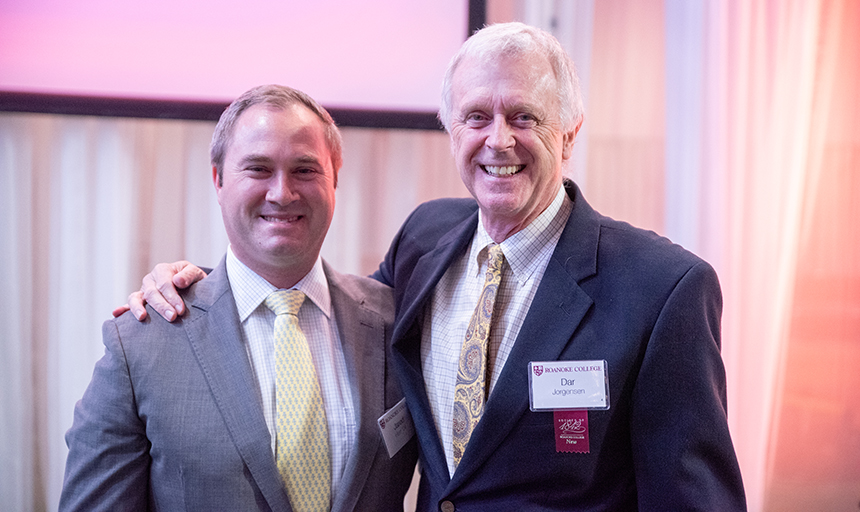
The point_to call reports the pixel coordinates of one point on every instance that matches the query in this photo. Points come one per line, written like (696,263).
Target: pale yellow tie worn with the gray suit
(302,451)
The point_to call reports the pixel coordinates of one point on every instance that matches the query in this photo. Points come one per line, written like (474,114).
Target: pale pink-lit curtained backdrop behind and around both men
(733,127)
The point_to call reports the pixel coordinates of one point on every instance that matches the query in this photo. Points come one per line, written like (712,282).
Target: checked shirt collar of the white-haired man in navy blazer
(521,247)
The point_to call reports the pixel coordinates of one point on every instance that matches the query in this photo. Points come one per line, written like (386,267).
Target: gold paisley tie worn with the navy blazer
(470,391)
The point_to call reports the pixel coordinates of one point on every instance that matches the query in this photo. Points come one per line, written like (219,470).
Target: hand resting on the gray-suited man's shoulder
(159,290)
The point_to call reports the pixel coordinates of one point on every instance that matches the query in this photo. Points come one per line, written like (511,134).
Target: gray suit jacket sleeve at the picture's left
(108,462)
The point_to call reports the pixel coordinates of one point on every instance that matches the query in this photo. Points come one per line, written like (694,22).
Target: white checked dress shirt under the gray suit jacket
(319,325)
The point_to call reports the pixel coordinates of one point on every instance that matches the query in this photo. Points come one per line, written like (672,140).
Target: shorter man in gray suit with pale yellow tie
(266,395)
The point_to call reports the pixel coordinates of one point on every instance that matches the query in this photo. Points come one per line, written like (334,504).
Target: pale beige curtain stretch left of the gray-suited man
(89,204)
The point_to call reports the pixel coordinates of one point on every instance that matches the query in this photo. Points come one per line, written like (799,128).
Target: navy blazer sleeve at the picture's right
(682,450)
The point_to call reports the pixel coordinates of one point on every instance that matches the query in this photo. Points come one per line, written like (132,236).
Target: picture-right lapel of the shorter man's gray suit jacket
(362,335)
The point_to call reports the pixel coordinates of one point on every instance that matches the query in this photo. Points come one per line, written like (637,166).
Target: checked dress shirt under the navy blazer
(527,254)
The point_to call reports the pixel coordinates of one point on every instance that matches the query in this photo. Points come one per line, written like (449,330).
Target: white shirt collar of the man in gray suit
(250,290)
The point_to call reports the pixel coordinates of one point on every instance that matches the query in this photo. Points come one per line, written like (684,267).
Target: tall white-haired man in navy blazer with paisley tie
(552,358)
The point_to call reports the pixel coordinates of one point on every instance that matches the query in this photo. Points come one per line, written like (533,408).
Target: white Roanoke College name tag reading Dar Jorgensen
(557,385)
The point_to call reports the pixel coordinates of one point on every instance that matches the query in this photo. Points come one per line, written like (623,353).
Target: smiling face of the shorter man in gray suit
(277,194)
